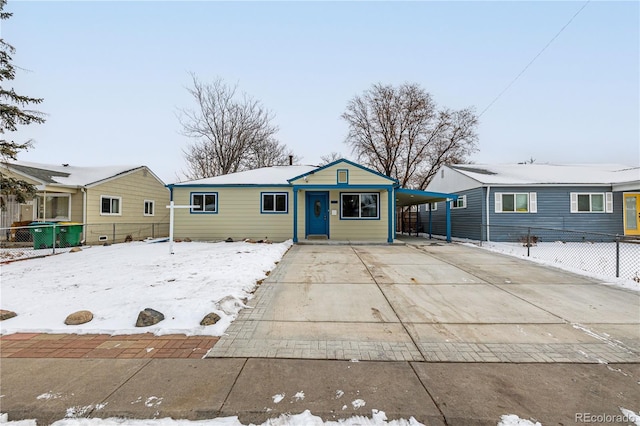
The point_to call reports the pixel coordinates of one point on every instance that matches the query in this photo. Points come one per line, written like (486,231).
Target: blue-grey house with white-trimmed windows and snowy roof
(493,199)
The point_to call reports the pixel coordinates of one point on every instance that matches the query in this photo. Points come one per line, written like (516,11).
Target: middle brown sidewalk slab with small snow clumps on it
(332,390)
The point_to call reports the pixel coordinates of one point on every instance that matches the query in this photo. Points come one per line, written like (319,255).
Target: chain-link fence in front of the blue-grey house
(600,253)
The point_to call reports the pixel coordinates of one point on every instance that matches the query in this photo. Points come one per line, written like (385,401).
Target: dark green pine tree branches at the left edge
(14,112)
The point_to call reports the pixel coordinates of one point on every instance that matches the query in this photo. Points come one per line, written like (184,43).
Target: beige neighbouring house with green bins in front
(98,197)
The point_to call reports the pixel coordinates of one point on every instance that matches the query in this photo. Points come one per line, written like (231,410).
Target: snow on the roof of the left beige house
(68,175)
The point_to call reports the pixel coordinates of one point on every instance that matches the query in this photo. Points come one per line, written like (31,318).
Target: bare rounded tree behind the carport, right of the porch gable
(401,132)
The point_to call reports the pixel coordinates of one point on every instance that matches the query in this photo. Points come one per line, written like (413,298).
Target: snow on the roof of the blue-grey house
(549,173)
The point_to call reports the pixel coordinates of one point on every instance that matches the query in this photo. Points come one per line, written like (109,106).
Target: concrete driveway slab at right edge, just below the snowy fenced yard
(588,303)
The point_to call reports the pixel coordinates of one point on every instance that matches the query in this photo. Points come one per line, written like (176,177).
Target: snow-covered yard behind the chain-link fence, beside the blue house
(597,260)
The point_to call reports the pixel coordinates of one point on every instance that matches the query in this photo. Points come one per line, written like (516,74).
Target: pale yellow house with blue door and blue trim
(340,201)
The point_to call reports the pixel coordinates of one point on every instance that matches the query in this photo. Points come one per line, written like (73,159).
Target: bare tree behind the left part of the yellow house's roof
(232,132)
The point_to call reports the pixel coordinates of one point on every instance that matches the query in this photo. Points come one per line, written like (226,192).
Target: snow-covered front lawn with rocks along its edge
(116,282)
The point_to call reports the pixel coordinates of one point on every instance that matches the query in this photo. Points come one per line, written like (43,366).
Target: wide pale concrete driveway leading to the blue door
(433,302)
